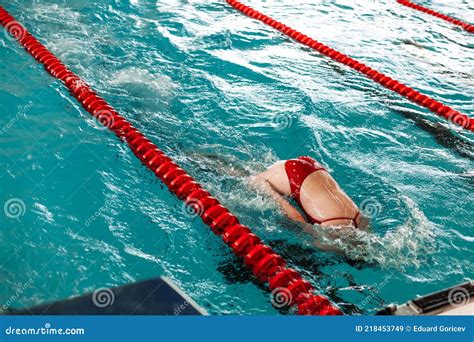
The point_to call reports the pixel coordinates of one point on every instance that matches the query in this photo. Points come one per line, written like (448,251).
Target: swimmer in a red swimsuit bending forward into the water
(317,194)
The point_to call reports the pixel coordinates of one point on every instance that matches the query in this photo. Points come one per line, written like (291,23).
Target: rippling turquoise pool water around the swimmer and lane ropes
(226,96)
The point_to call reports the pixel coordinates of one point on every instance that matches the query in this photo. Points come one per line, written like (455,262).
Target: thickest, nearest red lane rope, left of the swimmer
(266,265)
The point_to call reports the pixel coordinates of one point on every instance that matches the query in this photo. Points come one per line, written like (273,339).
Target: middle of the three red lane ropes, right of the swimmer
(389,83)
